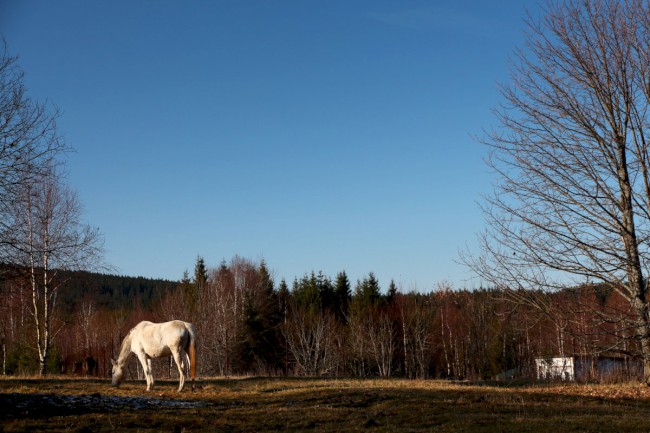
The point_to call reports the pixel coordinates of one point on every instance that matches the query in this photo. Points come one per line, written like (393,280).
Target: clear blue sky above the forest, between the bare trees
(332,135)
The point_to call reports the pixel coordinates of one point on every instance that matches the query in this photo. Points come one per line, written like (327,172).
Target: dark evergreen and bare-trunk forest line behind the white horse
(319,325)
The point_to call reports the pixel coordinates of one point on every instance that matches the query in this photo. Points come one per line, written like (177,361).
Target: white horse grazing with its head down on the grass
(156,340)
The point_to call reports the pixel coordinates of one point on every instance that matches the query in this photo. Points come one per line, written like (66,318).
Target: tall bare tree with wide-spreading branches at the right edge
(572,154)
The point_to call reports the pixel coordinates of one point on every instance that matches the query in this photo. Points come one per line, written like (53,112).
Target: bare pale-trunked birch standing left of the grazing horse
(48,237)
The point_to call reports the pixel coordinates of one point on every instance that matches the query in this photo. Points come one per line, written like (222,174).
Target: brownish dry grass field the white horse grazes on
(319,405)
